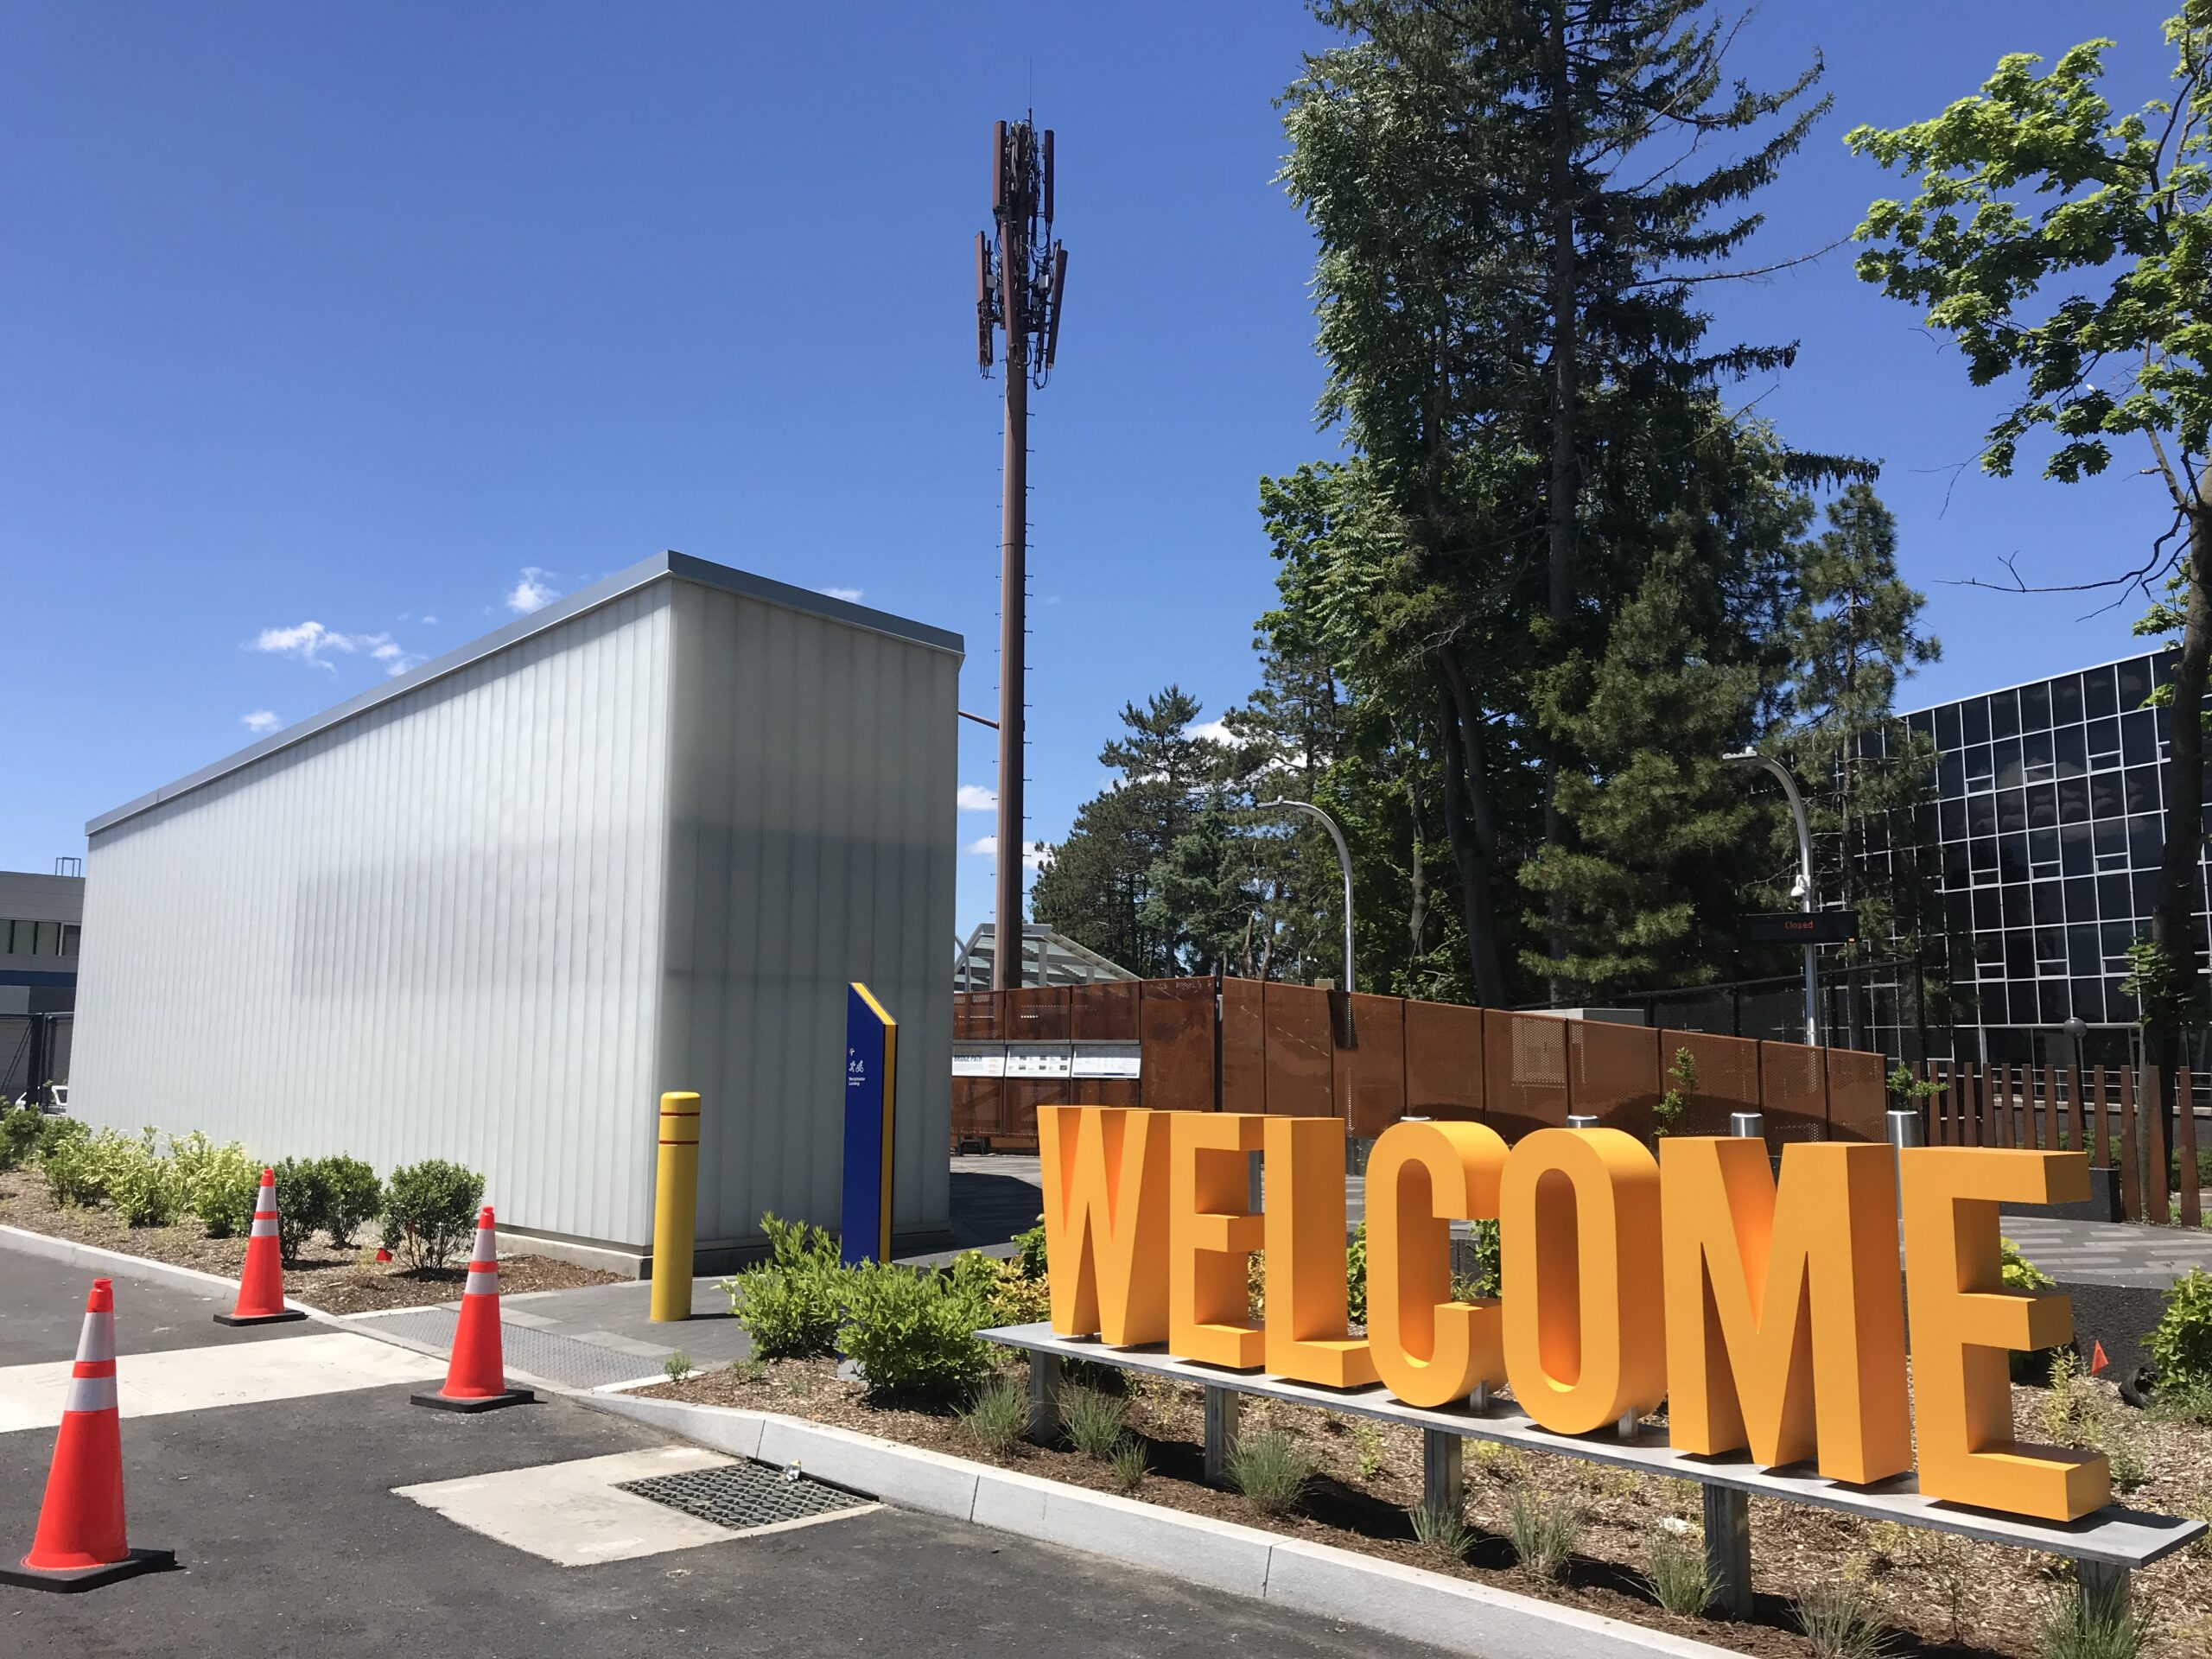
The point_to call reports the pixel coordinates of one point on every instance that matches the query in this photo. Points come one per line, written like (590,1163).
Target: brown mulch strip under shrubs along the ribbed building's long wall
(340,1282)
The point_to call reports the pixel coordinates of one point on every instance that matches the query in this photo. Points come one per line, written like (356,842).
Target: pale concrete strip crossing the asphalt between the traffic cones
(198,1379)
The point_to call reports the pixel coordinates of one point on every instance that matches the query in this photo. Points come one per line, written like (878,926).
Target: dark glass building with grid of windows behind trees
(2049,828)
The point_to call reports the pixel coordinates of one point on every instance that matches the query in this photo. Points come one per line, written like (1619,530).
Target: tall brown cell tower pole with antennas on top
(1021,286)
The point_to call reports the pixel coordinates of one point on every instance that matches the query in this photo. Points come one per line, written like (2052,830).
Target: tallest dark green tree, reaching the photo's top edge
(1510,238)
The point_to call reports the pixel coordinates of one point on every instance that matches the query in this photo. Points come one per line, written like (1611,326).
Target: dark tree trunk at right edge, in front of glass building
(2173,924)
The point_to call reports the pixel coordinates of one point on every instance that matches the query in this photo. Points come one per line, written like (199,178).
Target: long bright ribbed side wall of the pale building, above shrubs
(424,932)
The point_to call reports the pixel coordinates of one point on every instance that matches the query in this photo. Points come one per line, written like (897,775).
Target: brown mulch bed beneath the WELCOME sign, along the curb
(1937,1594)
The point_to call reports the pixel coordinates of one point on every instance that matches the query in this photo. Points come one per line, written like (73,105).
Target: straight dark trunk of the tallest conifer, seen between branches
(1561,497)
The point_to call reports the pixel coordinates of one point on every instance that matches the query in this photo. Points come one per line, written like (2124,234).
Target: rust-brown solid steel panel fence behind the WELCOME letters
(1293,1050)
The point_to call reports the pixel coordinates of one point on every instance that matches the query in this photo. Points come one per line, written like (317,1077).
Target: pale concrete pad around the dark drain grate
(570,1512)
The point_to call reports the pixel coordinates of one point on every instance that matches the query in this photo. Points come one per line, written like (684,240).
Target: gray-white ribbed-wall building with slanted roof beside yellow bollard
(492,910)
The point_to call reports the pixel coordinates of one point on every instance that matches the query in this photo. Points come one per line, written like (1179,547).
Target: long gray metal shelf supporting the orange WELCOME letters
(2114,1538)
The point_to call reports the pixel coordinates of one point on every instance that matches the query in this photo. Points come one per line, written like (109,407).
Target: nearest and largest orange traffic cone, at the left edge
(81,1527)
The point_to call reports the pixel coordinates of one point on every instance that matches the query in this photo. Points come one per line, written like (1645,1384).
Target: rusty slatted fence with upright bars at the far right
(2114,1112)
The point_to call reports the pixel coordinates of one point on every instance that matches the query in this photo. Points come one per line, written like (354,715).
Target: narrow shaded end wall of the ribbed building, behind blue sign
(813,842)
